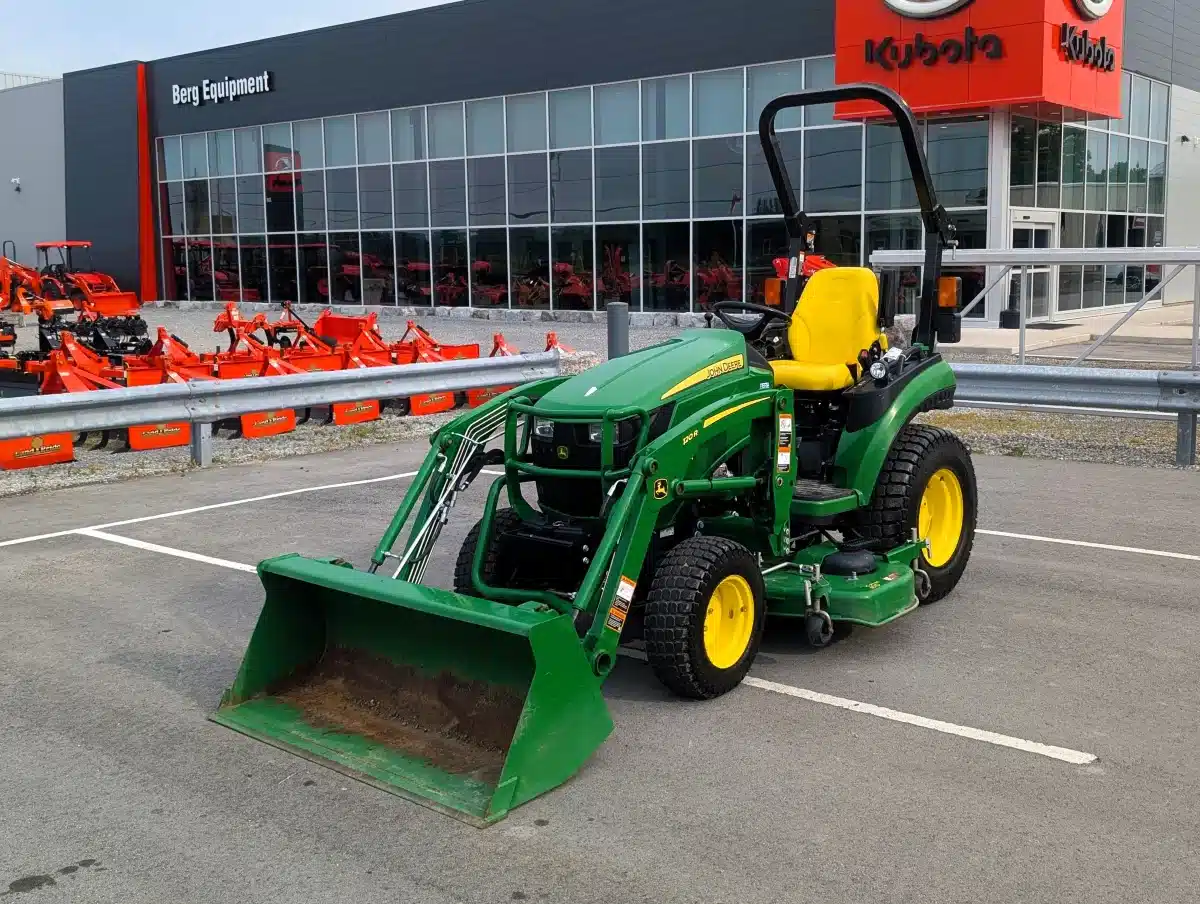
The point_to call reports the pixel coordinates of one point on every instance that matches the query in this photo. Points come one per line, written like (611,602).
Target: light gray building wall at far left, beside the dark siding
(34,154)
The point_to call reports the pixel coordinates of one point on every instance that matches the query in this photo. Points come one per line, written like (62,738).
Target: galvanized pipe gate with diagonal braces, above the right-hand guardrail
(1025,260)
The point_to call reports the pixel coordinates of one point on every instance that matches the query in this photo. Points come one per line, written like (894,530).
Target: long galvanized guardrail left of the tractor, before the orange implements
(206,403)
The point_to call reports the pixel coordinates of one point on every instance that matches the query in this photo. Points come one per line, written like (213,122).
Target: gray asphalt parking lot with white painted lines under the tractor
(1082,661)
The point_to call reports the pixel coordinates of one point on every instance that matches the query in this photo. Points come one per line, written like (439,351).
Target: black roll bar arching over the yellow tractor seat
(940,231)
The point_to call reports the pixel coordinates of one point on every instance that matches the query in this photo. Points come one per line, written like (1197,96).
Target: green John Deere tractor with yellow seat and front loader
(676,496)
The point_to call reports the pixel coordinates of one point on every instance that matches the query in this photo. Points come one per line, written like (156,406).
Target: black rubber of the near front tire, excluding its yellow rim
(675,616)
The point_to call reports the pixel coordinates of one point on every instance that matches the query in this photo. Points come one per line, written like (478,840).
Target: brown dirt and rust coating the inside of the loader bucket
(460,727)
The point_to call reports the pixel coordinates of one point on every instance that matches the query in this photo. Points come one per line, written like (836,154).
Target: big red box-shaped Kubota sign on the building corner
(975,55)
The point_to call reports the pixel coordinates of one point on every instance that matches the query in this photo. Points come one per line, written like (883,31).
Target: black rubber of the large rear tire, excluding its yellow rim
(919,452)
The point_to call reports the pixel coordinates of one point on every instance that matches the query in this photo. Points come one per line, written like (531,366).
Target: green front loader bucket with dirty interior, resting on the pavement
(463,705)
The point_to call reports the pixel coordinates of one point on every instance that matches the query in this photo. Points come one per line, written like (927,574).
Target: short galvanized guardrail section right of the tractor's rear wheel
(1166,393)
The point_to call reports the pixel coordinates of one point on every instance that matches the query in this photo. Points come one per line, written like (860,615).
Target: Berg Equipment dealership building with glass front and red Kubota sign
(559,155)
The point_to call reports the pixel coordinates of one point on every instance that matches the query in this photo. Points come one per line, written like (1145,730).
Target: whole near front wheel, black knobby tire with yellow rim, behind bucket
(700,638)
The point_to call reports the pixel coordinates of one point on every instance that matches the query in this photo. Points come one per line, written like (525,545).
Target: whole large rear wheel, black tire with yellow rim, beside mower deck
(931,470)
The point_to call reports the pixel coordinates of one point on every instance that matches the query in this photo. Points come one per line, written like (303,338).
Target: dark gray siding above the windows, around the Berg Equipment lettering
(483,49)
